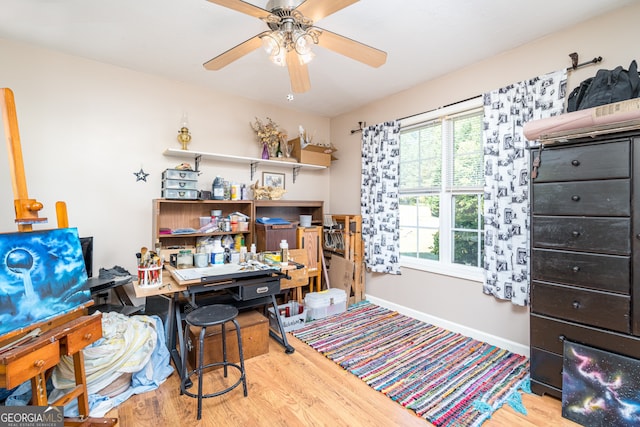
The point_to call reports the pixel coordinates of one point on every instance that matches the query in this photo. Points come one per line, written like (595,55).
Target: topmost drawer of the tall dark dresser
(587,162)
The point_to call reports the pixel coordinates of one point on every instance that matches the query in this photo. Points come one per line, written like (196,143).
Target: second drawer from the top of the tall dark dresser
(590,198)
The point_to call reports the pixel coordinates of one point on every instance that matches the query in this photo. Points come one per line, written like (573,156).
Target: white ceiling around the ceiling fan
(173,38)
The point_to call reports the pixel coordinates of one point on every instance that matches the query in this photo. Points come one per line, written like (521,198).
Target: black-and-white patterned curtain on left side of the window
(379,197)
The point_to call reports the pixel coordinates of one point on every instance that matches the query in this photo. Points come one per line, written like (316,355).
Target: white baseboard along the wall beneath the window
(511,346)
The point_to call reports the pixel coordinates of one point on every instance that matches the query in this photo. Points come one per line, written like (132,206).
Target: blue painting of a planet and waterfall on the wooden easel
(42,275)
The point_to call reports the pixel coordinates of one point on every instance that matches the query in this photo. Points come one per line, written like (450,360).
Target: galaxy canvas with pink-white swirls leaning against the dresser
(600,388)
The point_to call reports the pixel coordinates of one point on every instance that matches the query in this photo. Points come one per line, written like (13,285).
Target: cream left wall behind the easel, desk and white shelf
(86,127)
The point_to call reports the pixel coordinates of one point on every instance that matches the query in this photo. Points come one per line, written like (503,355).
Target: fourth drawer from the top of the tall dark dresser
(602,272)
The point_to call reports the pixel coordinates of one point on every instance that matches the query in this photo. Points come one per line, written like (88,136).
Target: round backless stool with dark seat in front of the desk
(203,317)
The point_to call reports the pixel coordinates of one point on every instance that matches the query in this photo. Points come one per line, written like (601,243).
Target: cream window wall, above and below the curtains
(612,36)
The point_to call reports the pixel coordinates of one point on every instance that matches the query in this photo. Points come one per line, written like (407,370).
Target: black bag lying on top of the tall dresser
(606,87)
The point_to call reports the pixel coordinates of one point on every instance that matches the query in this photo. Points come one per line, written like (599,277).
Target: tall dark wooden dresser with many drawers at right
(585,251)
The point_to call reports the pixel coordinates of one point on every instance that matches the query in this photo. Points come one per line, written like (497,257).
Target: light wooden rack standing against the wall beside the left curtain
(343,237)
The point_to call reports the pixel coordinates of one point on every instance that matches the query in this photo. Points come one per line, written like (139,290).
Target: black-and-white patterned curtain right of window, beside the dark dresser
(506,191)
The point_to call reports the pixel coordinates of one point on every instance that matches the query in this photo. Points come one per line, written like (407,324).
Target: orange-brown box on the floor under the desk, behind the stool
(254,328)
